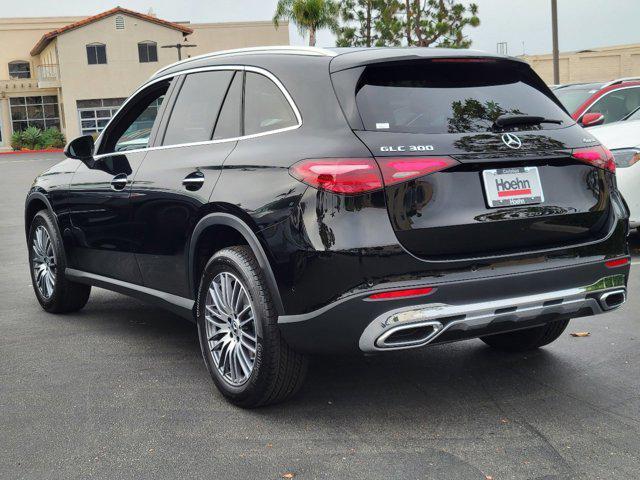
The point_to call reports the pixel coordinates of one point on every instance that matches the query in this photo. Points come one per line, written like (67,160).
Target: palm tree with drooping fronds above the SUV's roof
(308,15)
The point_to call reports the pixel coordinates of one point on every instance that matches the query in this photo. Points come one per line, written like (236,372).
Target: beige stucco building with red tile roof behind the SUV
(74,72)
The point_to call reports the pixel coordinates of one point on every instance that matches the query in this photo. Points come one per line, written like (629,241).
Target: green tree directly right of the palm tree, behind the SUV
(370,23)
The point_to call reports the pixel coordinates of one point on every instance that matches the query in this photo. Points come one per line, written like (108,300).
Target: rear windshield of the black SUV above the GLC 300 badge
(451,96)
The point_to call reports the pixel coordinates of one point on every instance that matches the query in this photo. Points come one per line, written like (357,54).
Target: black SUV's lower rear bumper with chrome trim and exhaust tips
(457,310)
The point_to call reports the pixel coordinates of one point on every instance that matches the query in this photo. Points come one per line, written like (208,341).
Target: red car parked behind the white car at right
(598,103)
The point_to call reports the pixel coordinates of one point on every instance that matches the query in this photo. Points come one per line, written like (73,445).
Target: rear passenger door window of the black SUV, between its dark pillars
(196,109)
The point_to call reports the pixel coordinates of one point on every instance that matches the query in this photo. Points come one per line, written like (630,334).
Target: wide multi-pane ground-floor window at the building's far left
(41,112)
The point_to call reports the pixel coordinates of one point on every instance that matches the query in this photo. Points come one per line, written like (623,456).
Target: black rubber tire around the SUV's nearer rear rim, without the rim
(278,371)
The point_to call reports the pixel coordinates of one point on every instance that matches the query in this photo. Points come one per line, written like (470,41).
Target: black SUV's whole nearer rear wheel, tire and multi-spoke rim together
(247,358)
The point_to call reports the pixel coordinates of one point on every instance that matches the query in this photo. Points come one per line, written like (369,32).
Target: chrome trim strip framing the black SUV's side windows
(241,68)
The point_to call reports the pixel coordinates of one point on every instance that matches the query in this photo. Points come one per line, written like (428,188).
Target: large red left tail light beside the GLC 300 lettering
(351,176)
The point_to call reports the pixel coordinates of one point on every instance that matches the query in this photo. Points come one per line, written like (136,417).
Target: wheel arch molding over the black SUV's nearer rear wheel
(226,221)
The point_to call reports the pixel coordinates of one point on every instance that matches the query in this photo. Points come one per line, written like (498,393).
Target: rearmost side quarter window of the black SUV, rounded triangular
(265,106)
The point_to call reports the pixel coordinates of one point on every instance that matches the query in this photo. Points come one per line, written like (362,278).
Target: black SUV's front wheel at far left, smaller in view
(47,264)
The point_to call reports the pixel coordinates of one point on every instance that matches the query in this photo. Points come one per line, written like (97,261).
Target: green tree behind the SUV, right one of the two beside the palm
(438,23)
